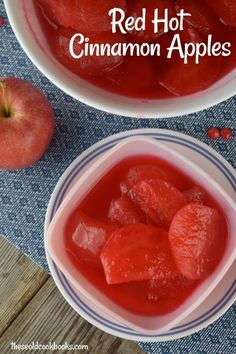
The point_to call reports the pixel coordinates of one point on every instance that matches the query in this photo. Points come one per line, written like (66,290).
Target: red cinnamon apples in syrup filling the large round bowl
(211,27)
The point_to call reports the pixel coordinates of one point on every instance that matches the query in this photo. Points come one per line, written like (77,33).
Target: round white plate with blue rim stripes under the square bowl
(222,297)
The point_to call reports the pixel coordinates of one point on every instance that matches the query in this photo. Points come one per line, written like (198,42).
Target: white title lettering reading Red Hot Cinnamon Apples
(80,45)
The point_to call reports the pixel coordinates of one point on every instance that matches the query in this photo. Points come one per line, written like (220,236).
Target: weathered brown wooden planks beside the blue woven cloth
(33,310)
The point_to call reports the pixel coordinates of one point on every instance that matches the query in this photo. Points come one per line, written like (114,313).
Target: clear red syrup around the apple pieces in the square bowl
(145,297)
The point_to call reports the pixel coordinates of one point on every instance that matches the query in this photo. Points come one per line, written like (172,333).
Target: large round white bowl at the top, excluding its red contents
(27,29)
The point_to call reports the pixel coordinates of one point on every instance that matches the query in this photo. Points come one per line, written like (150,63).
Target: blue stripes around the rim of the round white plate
(60,196)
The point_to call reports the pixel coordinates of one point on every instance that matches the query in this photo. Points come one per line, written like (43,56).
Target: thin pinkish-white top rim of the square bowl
(208,288)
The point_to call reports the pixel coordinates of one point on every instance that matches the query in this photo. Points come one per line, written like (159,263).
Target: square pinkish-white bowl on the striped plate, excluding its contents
(55,237)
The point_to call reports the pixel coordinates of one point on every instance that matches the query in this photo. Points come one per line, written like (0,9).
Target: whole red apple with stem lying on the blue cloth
(26,123)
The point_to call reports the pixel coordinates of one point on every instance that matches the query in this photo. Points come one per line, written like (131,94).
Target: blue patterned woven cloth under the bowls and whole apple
(24,195)
